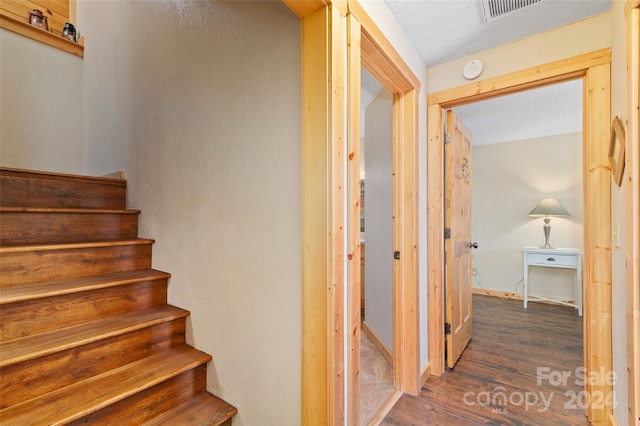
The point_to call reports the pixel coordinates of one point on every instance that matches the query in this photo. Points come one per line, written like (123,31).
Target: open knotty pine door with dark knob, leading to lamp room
(457,237)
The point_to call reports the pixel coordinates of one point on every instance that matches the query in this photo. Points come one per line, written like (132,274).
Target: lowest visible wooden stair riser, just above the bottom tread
(151,402)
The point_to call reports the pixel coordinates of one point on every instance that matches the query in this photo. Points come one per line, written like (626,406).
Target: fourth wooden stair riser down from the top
(26,318)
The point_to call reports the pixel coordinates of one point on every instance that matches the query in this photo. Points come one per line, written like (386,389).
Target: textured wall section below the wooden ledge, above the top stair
(41,120)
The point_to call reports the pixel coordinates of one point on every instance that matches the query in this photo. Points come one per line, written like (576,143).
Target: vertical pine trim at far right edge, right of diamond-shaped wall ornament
(632,182)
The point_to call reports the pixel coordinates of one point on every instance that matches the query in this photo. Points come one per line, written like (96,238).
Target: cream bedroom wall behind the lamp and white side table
(509,179)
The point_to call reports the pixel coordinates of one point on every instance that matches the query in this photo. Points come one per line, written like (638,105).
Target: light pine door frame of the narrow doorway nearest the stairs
(336,38)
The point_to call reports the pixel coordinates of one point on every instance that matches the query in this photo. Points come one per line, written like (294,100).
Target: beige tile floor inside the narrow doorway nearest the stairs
(376,379)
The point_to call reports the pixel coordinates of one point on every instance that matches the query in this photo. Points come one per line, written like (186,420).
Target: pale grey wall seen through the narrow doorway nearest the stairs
(378,214)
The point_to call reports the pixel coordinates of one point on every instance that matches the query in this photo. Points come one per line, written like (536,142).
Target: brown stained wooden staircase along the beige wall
(86,334)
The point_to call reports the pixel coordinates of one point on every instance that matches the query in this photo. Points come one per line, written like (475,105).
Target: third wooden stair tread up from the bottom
(38,345)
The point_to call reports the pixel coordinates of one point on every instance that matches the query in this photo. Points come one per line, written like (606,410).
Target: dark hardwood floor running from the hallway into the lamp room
(522,367)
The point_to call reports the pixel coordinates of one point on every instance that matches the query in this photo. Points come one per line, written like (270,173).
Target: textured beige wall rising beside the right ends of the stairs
(200,103)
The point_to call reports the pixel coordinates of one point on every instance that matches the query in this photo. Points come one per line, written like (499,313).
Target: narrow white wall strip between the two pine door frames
(384,19)
